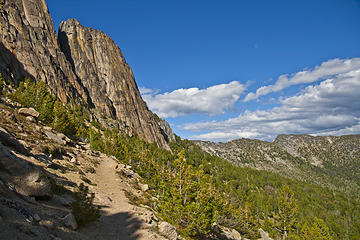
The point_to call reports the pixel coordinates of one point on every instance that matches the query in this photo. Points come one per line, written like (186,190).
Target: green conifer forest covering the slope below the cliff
(192,189)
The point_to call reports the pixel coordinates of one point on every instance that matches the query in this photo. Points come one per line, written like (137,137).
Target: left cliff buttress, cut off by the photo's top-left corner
(28,48)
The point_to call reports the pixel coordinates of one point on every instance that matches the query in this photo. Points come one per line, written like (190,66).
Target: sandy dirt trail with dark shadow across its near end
(118,220)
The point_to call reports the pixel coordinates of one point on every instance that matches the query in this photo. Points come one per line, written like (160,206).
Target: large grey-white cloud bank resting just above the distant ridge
(331,107)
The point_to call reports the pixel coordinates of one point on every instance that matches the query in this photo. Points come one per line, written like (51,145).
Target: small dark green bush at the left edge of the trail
(83,208)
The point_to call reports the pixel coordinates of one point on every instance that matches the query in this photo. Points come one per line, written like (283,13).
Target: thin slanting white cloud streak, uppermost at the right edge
(325,70)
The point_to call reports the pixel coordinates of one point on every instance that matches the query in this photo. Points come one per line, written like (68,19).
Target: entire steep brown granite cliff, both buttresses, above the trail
(81,65)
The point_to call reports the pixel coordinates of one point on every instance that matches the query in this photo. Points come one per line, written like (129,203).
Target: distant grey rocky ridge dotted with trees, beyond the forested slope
(331,161)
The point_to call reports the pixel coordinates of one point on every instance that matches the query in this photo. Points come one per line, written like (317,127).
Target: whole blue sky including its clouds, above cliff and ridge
(220,70)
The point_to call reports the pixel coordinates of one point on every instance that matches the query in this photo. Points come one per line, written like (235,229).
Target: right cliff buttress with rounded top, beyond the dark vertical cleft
(101,68)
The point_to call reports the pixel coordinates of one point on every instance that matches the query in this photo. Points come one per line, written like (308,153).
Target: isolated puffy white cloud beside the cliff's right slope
(213,100)
